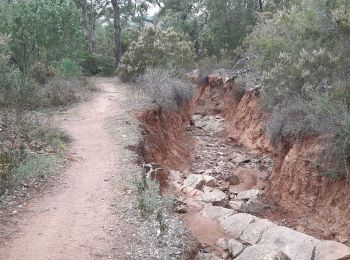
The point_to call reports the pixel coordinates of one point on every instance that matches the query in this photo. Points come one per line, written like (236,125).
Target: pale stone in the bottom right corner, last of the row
(329,250)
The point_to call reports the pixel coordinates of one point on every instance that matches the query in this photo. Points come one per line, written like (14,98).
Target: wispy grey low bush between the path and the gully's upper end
(164,88)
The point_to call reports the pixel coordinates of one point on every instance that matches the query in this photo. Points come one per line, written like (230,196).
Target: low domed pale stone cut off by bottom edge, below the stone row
(262,252)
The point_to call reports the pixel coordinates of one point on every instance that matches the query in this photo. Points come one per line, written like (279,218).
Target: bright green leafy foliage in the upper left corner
(42,30)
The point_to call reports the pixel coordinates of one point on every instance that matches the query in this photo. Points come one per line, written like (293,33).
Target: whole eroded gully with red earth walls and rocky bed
(238,193)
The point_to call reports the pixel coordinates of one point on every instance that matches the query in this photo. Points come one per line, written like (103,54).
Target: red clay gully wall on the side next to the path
(165,141)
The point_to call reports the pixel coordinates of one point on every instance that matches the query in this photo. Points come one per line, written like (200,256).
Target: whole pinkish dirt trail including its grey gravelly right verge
(92,212)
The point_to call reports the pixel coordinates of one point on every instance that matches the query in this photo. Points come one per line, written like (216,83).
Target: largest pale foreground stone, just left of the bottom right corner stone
(296,245)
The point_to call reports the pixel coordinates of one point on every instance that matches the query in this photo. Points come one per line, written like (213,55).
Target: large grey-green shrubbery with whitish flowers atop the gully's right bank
(301,54)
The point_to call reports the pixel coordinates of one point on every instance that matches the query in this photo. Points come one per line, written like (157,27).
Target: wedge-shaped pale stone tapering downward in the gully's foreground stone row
(235,224)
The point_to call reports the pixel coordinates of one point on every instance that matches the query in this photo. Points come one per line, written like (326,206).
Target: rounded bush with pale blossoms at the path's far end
(156,47)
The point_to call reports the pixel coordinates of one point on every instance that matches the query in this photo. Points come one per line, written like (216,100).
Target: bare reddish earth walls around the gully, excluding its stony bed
(302,198)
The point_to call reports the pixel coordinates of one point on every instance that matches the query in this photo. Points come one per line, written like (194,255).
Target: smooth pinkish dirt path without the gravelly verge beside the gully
(75,218)
